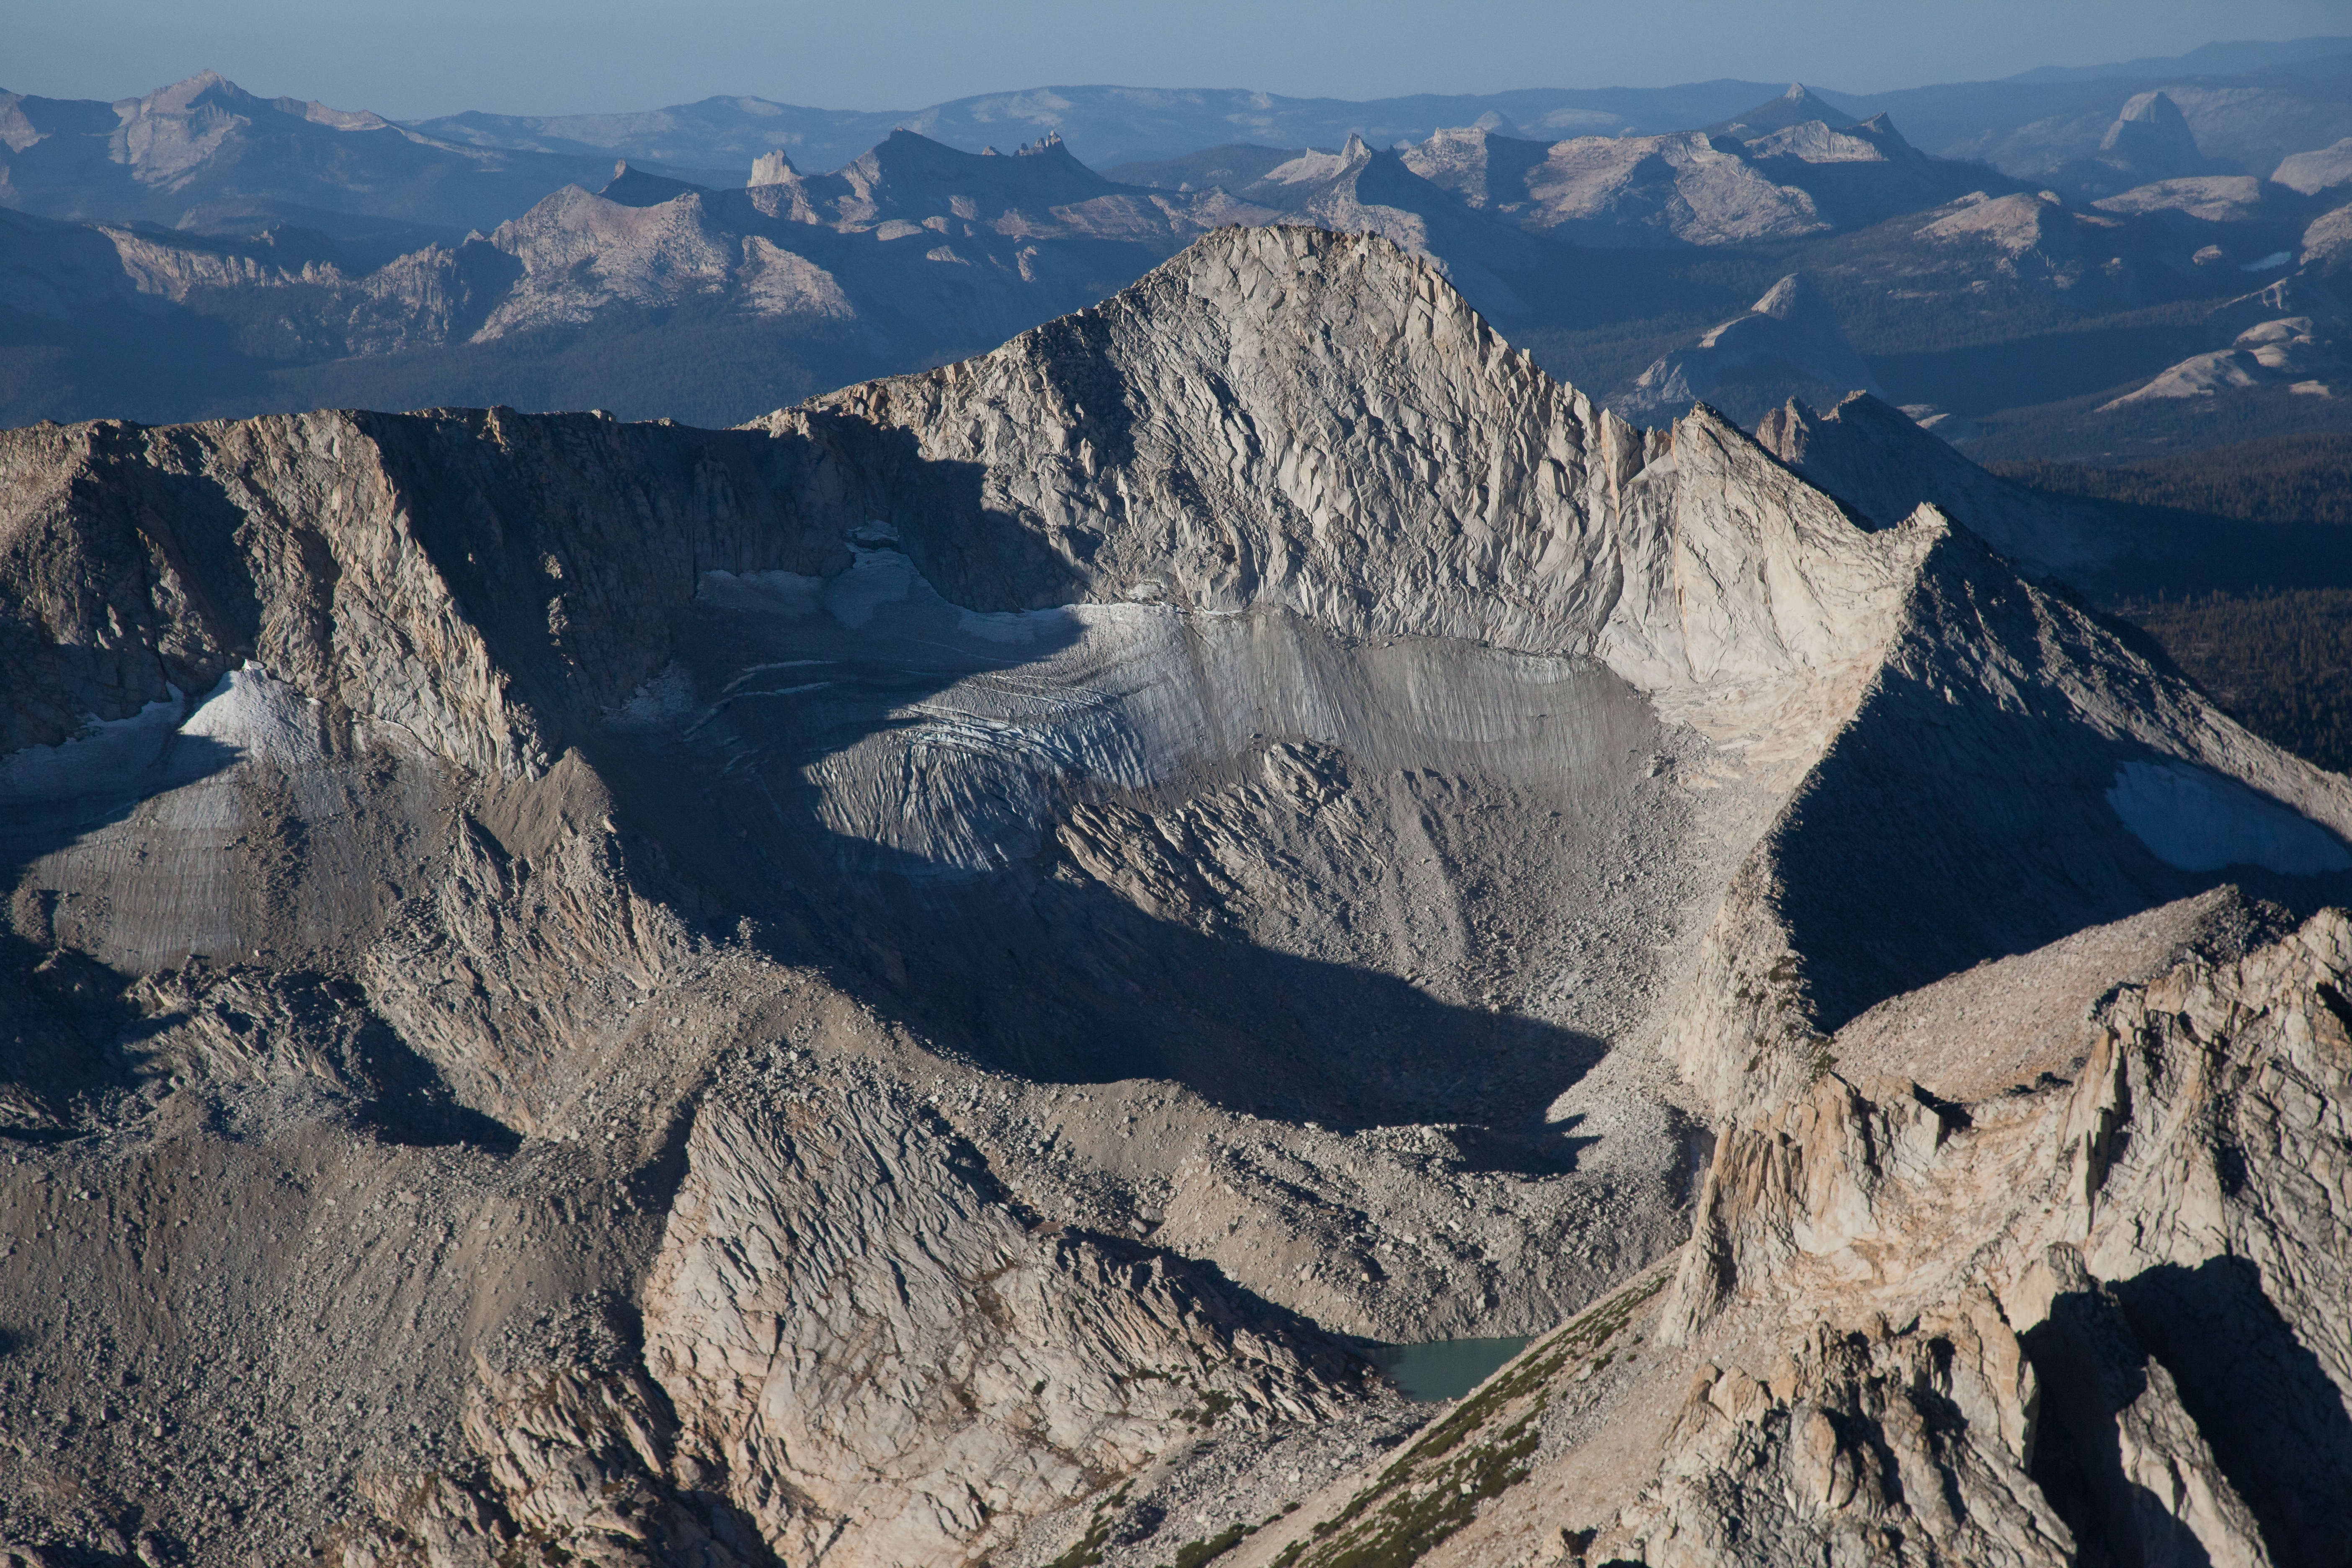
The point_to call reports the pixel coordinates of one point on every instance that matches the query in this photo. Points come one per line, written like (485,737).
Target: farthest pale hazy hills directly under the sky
(206,154)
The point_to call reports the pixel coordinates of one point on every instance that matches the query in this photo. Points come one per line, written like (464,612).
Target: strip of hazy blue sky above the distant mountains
(432,58)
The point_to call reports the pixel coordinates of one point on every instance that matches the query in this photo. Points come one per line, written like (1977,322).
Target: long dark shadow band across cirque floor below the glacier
(1043,972)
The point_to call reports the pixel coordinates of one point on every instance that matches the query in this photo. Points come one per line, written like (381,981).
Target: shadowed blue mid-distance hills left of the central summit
(728,300)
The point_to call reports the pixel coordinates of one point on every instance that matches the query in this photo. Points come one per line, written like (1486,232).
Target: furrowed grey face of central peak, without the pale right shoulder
(1347,438)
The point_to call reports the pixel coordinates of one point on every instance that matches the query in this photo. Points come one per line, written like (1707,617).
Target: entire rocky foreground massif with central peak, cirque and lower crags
(923,979)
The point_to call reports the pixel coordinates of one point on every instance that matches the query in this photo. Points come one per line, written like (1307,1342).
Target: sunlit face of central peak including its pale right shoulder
(1363,450)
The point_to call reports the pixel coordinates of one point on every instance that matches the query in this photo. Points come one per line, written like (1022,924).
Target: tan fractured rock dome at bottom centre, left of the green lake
(895,1365)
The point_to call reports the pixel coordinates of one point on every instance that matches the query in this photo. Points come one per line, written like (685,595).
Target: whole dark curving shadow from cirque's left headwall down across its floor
(1043,974)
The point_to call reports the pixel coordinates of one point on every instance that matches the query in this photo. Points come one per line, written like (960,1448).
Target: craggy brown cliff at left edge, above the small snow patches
(161,561)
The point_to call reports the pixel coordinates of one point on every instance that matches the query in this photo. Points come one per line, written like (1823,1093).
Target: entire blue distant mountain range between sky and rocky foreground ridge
(208,253)
